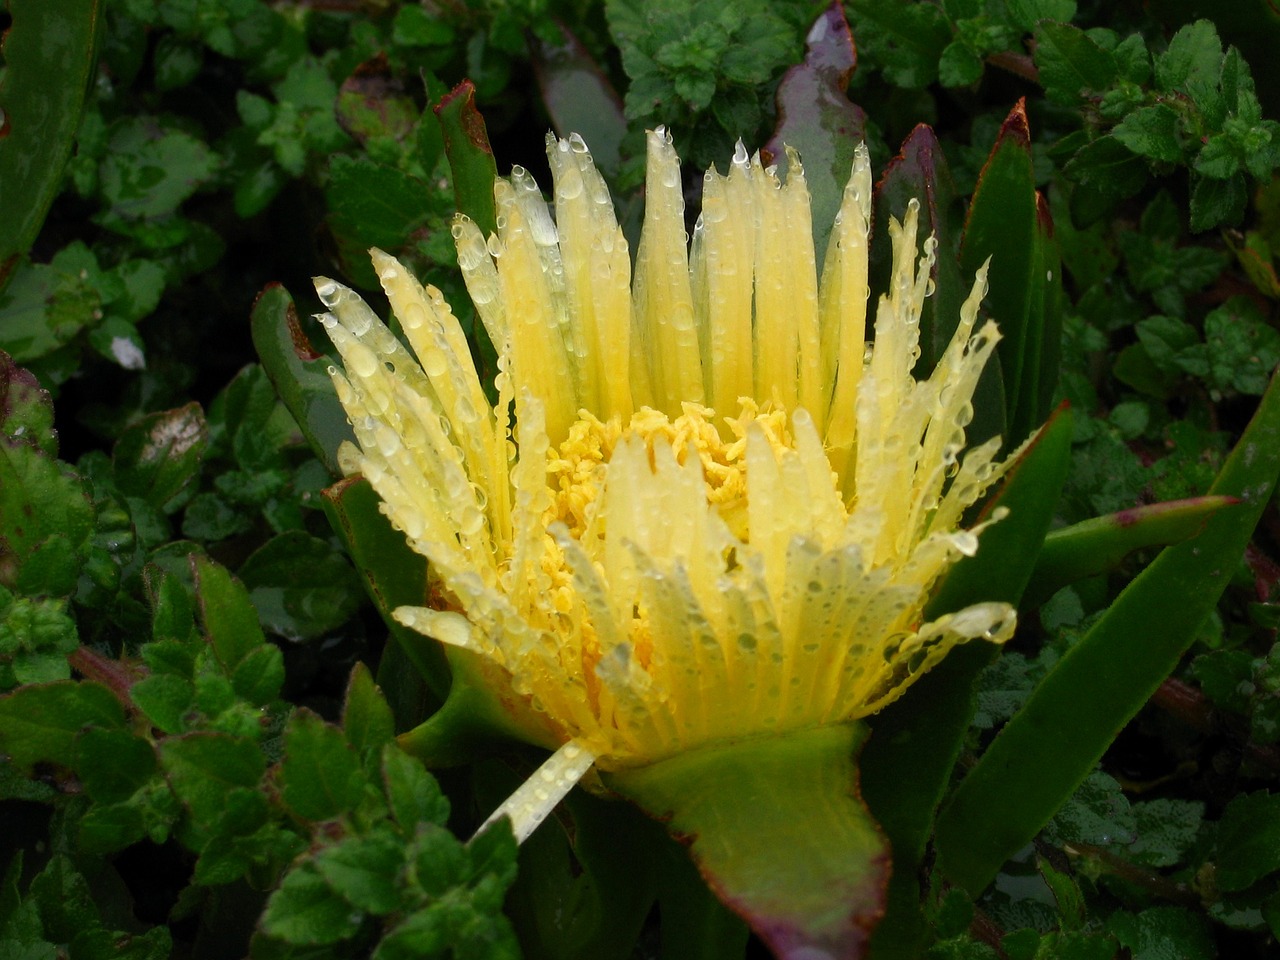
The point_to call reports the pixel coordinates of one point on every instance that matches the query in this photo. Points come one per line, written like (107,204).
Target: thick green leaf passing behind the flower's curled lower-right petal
(908,761)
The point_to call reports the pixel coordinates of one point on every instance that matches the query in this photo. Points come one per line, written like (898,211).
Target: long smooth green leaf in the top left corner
(49,56)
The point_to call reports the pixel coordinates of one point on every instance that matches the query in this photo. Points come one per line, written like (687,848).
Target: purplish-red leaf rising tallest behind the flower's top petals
(817,120)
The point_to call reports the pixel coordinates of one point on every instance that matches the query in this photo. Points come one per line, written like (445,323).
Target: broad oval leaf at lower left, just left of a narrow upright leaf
(321,776)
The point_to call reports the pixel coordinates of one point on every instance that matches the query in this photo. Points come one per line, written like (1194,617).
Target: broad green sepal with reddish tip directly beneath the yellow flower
(778,829)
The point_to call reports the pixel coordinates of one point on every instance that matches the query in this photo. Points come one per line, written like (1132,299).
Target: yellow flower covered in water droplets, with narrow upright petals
(719,513)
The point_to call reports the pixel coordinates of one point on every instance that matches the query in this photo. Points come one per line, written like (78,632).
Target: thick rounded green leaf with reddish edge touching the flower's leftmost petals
(300,374)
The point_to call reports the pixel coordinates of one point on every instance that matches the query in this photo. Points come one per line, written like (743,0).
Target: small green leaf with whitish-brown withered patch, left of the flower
(159,458)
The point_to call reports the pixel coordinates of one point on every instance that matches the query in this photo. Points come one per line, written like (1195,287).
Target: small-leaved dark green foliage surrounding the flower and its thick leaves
(202,765)
